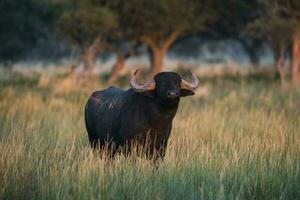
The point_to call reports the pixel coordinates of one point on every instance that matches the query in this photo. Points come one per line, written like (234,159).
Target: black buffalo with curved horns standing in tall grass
(142,115)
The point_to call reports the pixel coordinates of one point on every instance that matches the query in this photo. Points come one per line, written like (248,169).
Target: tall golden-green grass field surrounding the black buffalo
(241,142)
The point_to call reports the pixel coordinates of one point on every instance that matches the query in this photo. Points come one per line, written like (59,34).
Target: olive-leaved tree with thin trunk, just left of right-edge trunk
(275,28)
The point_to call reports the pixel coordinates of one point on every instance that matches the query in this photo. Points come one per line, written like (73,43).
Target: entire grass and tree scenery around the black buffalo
(236,138)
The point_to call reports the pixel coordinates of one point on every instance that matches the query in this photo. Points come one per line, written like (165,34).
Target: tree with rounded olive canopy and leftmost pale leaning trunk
(88,24)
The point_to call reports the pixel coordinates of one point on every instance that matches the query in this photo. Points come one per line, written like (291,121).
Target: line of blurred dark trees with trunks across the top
(121,27)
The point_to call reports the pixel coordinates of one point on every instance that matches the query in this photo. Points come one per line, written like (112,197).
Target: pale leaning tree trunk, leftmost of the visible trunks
(89,57)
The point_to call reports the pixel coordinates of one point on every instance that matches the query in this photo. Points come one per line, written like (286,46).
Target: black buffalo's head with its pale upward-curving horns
(167,87)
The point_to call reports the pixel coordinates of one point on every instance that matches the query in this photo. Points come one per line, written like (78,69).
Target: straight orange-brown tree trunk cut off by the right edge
(296,60)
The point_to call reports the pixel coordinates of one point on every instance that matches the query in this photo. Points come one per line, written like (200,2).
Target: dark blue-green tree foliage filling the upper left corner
(22,24)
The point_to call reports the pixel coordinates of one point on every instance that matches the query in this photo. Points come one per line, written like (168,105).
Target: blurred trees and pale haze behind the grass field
(84,38)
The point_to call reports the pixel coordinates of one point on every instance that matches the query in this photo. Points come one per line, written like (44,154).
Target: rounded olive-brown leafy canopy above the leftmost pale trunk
(85,20)
